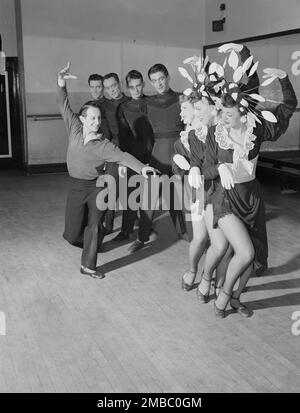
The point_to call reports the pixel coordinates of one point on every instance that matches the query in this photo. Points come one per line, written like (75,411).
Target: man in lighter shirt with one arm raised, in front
(87,151)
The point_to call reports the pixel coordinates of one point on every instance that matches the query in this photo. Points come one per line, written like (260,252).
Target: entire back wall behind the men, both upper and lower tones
(97,36)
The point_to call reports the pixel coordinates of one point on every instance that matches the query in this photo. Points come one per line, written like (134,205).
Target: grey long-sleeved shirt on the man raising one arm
(83,159)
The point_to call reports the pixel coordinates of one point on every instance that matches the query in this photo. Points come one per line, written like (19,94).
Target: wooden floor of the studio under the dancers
(136,330)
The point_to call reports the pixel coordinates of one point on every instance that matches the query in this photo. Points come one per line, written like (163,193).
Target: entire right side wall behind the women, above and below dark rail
(260,17)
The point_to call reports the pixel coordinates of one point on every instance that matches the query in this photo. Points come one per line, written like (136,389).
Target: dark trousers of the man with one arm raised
(83,220)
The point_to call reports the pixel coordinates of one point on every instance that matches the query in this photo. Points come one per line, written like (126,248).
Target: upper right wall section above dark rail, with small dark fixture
(248,18)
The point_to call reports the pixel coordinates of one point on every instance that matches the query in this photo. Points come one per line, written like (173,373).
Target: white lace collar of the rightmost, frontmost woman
(225,142)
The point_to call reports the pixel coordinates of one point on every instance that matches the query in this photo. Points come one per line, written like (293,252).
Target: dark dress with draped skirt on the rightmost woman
(245,199)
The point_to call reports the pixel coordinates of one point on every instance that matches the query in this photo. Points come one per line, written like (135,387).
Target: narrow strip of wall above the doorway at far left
(8,27)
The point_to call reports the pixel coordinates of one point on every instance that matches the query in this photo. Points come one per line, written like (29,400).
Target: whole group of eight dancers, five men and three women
(226,121)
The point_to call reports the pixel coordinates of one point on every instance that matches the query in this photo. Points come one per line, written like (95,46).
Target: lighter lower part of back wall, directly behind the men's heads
(44,56)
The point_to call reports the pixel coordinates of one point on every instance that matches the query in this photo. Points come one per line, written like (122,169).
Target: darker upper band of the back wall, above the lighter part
(177,23)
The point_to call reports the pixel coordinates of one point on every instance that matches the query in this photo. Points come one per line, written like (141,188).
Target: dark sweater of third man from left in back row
(137,134)
